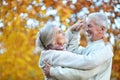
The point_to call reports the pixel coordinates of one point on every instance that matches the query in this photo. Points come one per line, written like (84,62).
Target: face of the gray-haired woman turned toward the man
(59,37)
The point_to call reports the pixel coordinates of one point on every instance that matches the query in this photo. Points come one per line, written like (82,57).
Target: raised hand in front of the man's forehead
(78,25)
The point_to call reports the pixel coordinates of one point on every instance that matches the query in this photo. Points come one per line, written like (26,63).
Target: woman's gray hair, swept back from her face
(45,36)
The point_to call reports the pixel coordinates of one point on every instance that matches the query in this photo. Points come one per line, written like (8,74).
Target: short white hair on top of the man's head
(100,19)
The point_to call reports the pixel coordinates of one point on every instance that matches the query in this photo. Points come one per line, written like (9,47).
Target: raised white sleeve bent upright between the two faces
(73,42)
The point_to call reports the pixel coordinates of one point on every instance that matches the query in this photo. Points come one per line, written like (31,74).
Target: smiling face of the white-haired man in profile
(92,30)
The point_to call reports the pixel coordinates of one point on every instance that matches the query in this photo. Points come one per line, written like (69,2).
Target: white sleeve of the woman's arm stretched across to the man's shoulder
(68,59)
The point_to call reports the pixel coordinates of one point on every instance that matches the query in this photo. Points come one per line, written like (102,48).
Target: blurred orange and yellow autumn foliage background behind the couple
(20,20)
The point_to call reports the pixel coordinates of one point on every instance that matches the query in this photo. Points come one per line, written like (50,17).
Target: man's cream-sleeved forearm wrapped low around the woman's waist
(71,74)
